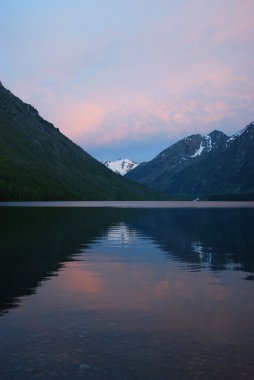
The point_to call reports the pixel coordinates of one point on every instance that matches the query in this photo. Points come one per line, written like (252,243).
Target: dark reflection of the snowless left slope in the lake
(35,242)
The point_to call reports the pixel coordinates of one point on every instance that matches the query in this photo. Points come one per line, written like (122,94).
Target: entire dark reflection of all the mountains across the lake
(34,243)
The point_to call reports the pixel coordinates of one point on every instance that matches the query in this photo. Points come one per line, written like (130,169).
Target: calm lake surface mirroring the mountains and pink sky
(126,293)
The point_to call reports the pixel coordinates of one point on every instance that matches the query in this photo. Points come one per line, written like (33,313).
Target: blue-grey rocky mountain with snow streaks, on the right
(214,166)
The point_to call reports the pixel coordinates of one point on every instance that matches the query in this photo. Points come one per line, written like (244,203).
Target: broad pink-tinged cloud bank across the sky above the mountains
(166,78)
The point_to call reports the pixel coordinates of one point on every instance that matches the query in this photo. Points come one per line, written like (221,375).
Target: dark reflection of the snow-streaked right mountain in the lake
(223,239)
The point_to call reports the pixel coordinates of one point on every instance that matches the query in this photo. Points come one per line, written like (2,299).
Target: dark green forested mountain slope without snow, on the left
(37,162)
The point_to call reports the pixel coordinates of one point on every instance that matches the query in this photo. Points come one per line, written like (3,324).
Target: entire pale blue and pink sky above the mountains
(126,79)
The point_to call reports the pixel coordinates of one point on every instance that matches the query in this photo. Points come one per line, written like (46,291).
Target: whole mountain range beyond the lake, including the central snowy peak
(37,162)
